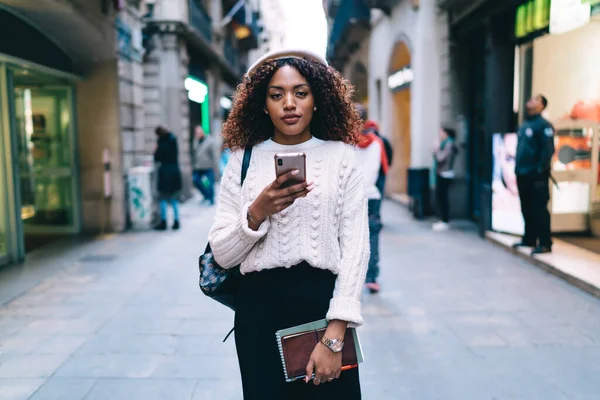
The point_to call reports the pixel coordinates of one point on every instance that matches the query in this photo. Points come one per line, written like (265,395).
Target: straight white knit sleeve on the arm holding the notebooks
(353,237)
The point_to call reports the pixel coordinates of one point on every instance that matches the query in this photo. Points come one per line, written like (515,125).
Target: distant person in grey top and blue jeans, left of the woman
(206,163)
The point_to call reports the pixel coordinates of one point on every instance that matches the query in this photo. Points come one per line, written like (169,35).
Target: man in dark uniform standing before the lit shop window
(535,148)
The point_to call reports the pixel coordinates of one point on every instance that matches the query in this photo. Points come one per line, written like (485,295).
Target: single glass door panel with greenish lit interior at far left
(44,144)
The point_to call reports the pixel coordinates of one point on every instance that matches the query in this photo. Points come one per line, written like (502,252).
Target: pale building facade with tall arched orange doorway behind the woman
(396,53)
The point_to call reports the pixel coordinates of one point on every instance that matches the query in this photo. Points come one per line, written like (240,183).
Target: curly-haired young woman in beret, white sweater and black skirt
(303,249)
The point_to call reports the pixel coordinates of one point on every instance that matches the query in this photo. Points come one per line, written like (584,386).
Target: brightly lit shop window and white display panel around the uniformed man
(559,62)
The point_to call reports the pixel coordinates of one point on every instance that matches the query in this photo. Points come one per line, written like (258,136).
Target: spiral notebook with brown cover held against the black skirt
(297,343)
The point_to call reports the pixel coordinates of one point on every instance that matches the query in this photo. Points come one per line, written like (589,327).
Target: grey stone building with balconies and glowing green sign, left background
(196,54)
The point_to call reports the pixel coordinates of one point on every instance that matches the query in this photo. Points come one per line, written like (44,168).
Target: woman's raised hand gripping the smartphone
(276,198)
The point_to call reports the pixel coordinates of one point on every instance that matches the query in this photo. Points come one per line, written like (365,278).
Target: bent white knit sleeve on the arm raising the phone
(230,237)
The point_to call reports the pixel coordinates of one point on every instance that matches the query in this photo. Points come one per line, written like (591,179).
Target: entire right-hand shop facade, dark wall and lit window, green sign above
(503,54)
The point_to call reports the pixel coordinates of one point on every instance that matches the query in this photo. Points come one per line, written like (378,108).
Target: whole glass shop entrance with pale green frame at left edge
(39,190)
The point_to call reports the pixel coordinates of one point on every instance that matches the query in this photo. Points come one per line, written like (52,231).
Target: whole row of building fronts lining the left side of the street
(78,106)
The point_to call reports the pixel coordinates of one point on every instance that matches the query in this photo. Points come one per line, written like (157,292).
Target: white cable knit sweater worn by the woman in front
(328,229)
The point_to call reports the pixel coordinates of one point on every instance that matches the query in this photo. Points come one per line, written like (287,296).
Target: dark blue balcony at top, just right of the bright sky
(350,26)
